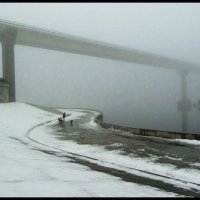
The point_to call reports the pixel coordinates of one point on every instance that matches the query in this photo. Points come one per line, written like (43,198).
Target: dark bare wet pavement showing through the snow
(166,151)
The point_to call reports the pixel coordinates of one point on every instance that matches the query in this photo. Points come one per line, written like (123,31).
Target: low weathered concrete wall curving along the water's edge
(148,132)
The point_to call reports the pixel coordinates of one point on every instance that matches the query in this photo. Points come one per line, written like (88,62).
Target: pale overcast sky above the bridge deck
(165,28)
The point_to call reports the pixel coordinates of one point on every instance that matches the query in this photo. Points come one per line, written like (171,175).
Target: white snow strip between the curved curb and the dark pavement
(182,178)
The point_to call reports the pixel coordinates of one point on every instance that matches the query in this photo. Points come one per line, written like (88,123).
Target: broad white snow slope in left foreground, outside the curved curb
(27,171)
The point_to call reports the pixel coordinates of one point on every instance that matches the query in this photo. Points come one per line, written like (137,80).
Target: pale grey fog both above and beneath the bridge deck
(127,94)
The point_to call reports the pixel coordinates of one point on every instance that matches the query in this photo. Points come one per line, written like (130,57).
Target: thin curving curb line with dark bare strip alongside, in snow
(129,177)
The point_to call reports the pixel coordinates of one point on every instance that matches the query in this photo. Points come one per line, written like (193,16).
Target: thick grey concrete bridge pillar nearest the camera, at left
(8,37)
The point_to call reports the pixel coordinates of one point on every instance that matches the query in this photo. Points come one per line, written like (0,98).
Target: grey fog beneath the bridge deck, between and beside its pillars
(127,93)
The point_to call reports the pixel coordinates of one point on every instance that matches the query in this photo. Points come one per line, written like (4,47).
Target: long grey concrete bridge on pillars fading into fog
(12,33)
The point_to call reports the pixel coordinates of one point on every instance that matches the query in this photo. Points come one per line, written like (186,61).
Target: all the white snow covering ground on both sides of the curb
(27,169)
